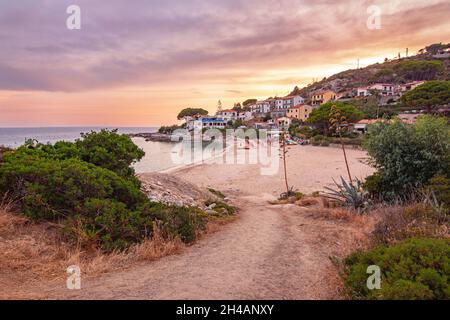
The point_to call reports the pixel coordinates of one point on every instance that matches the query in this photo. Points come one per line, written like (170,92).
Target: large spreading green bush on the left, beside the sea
(98,203)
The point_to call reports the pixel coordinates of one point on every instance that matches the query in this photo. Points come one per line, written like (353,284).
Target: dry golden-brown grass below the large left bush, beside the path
(33,253)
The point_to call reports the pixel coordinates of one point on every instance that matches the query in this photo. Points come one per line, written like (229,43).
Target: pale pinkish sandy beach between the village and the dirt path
(309,169)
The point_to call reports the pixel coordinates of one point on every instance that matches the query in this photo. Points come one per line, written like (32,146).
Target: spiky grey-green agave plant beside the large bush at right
(351,195)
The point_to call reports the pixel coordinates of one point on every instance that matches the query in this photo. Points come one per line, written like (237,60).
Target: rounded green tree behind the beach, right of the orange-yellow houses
(320,117)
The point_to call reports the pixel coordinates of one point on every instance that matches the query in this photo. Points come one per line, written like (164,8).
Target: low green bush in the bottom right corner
(413,269)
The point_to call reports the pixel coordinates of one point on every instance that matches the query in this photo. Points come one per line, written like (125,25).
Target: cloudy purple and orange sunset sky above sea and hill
(139,62)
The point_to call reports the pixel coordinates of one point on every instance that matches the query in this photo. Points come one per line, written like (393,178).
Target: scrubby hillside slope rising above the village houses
(424,66)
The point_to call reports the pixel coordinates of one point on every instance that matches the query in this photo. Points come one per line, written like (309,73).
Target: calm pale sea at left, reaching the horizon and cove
(157,154)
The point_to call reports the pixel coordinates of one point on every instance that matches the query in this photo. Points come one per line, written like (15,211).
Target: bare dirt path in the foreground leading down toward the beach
(263,255)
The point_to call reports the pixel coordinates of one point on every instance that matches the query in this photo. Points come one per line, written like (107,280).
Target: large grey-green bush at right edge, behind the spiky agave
(407,156)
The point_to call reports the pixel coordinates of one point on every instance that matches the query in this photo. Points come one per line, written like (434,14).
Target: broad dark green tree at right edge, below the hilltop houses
(429,95)
